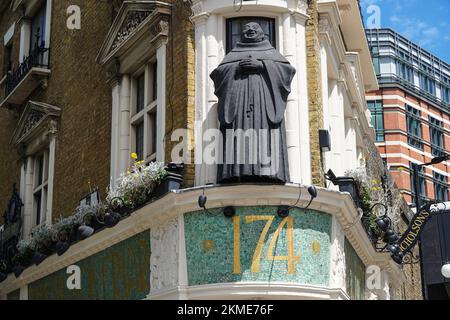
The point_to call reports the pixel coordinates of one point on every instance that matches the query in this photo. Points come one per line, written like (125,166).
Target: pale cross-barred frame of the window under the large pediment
(144,116)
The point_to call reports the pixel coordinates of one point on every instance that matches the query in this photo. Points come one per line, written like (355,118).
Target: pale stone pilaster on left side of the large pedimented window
(124,140)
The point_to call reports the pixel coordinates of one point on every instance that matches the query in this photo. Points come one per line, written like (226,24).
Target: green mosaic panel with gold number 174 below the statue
(223,250)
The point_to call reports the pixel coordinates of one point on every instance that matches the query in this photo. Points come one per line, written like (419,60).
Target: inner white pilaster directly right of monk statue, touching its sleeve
(292,107)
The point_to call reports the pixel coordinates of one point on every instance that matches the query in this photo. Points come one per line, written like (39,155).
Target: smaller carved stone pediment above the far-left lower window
(38,121)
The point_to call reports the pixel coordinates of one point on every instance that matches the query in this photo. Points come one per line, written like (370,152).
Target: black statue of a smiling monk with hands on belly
(253,83)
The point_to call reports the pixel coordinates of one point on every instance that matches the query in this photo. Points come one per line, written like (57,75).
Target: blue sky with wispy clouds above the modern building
(425,22)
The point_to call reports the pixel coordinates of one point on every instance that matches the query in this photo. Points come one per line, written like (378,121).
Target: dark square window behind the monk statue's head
(235,26)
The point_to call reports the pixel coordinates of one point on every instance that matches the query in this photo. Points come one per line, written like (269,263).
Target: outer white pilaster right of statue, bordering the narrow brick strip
(303,107)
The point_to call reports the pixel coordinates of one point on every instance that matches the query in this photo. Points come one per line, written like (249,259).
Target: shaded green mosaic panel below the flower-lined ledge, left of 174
(121,272)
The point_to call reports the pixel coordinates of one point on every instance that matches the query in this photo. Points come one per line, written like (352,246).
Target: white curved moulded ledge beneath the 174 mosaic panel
(251,291)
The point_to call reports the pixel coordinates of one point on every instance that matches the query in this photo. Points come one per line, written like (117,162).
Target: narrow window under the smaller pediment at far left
(40,187)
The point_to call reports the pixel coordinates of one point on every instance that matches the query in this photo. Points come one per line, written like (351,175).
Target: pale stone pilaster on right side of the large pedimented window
(161,100)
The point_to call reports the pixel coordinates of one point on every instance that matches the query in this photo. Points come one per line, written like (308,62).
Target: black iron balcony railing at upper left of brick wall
(38,58)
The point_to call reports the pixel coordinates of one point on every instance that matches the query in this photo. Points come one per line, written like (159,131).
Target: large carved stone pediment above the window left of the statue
(137,24)
